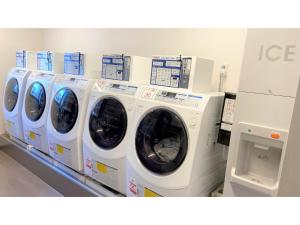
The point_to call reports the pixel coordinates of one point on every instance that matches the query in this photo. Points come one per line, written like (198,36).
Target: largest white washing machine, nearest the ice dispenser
(171,149)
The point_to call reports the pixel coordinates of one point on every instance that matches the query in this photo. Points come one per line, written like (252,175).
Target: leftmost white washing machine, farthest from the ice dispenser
(13,100)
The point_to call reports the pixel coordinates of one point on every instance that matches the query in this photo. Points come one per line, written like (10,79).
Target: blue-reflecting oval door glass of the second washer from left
(35,101)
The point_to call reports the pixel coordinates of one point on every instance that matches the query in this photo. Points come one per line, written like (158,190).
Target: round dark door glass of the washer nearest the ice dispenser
(161,141)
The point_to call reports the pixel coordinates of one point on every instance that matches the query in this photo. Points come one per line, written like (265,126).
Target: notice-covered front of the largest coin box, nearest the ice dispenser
(171,71)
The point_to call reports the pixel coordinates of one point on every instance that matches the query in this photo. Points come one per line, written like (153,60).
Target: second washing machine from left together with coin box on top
(37,99)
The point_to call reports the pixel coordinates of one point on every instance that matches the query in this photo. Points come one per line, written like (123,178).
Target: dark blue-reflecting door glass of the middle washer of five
(64,110)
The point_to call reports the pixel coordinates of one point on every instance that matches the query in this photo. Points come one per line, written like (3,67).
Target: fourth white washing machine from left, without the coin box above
(106,133)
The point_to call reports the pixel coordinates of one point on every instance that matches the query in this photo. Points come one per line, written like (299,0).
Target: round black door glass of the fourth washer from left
(108,123)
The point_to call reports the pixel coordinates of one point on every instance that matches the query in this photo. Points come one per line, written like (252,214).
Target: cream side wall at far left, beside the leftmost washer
(10,41)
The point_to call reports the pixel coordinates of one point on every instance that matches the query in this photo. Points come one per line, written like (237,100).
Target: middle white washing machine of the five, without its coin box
(65,122)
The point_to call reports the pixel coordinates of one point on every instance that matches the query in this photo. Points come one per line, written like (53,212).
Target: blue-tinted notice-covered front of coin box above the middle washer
(74,63)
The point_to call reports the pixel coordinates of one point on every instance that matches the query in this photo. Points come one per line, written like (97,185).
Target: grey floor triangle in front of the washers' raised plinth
(16,180)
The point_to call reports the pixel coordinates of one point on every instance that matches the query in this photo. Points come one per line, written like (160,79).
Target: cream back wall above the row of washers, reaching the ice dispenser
(221,45)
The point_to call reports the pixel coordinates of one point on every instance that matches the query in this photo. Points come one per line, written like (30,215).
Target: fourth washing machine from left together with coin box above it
(109,118)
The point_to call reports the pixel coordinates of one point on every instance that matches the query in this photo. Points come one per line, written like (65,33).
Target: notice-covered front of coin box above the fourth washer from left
(116,67)
